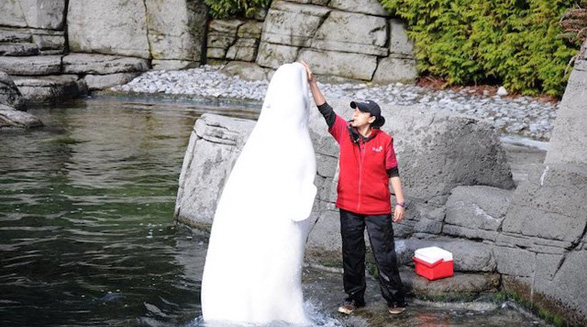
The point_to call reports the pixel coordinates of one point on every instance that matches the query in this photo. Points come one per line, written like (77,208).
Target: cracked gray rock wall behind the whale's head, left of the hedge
(341,39)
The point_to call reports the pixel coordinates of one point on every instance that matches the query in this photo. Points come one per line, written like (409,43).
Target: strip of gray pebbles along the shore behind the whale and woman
(523,116)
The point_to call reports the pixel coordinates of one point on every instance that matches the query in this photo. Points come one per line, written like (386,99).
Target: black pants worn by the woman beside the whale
(380,231)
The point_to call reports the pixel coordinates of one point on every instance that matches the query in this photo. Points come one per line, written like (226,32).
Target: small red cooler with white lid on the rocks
(433,263)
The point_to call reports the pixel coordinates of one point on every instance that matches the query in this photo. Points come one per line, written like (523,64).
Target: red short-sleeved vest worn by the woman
(363,182)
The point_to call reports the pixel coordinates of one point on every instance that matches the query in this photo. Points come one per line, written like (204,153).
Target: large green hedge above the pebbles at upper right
(516,43)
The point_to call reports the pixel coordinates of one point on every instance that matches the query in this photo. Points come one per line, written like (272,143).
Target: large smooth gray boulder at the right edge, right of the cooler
(542,244)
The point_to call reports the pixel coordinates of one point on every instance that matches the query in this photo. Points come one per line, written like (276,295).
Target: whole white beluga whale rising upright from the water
(253,268)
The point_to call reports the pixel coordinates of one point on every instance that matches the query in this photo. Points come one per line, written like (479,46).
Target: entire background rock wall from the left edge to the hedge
(341,39)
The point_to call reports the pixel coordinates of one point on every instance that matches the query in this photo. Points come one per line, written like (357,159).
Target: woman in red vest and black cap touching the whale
(367,164)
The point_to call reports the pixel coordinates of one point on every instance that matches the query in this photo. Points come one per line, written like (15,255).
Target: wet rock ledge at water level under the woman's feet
(324,291)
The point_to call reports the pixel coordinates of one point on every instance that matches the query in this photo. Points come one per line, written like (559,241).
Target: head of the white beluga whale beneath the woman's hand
(286,94)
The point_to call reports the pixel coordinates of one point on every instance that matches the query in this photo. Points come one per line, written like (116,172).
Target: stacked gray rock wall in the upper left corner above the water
(108,42)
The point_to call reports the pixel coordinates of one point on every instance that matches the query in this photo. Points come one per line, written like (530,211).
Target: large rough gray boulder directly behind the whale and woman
(432,148)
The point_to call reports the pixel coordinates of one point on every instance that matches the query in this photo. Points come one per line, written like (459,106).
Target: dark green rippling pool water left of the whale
(87,234)
